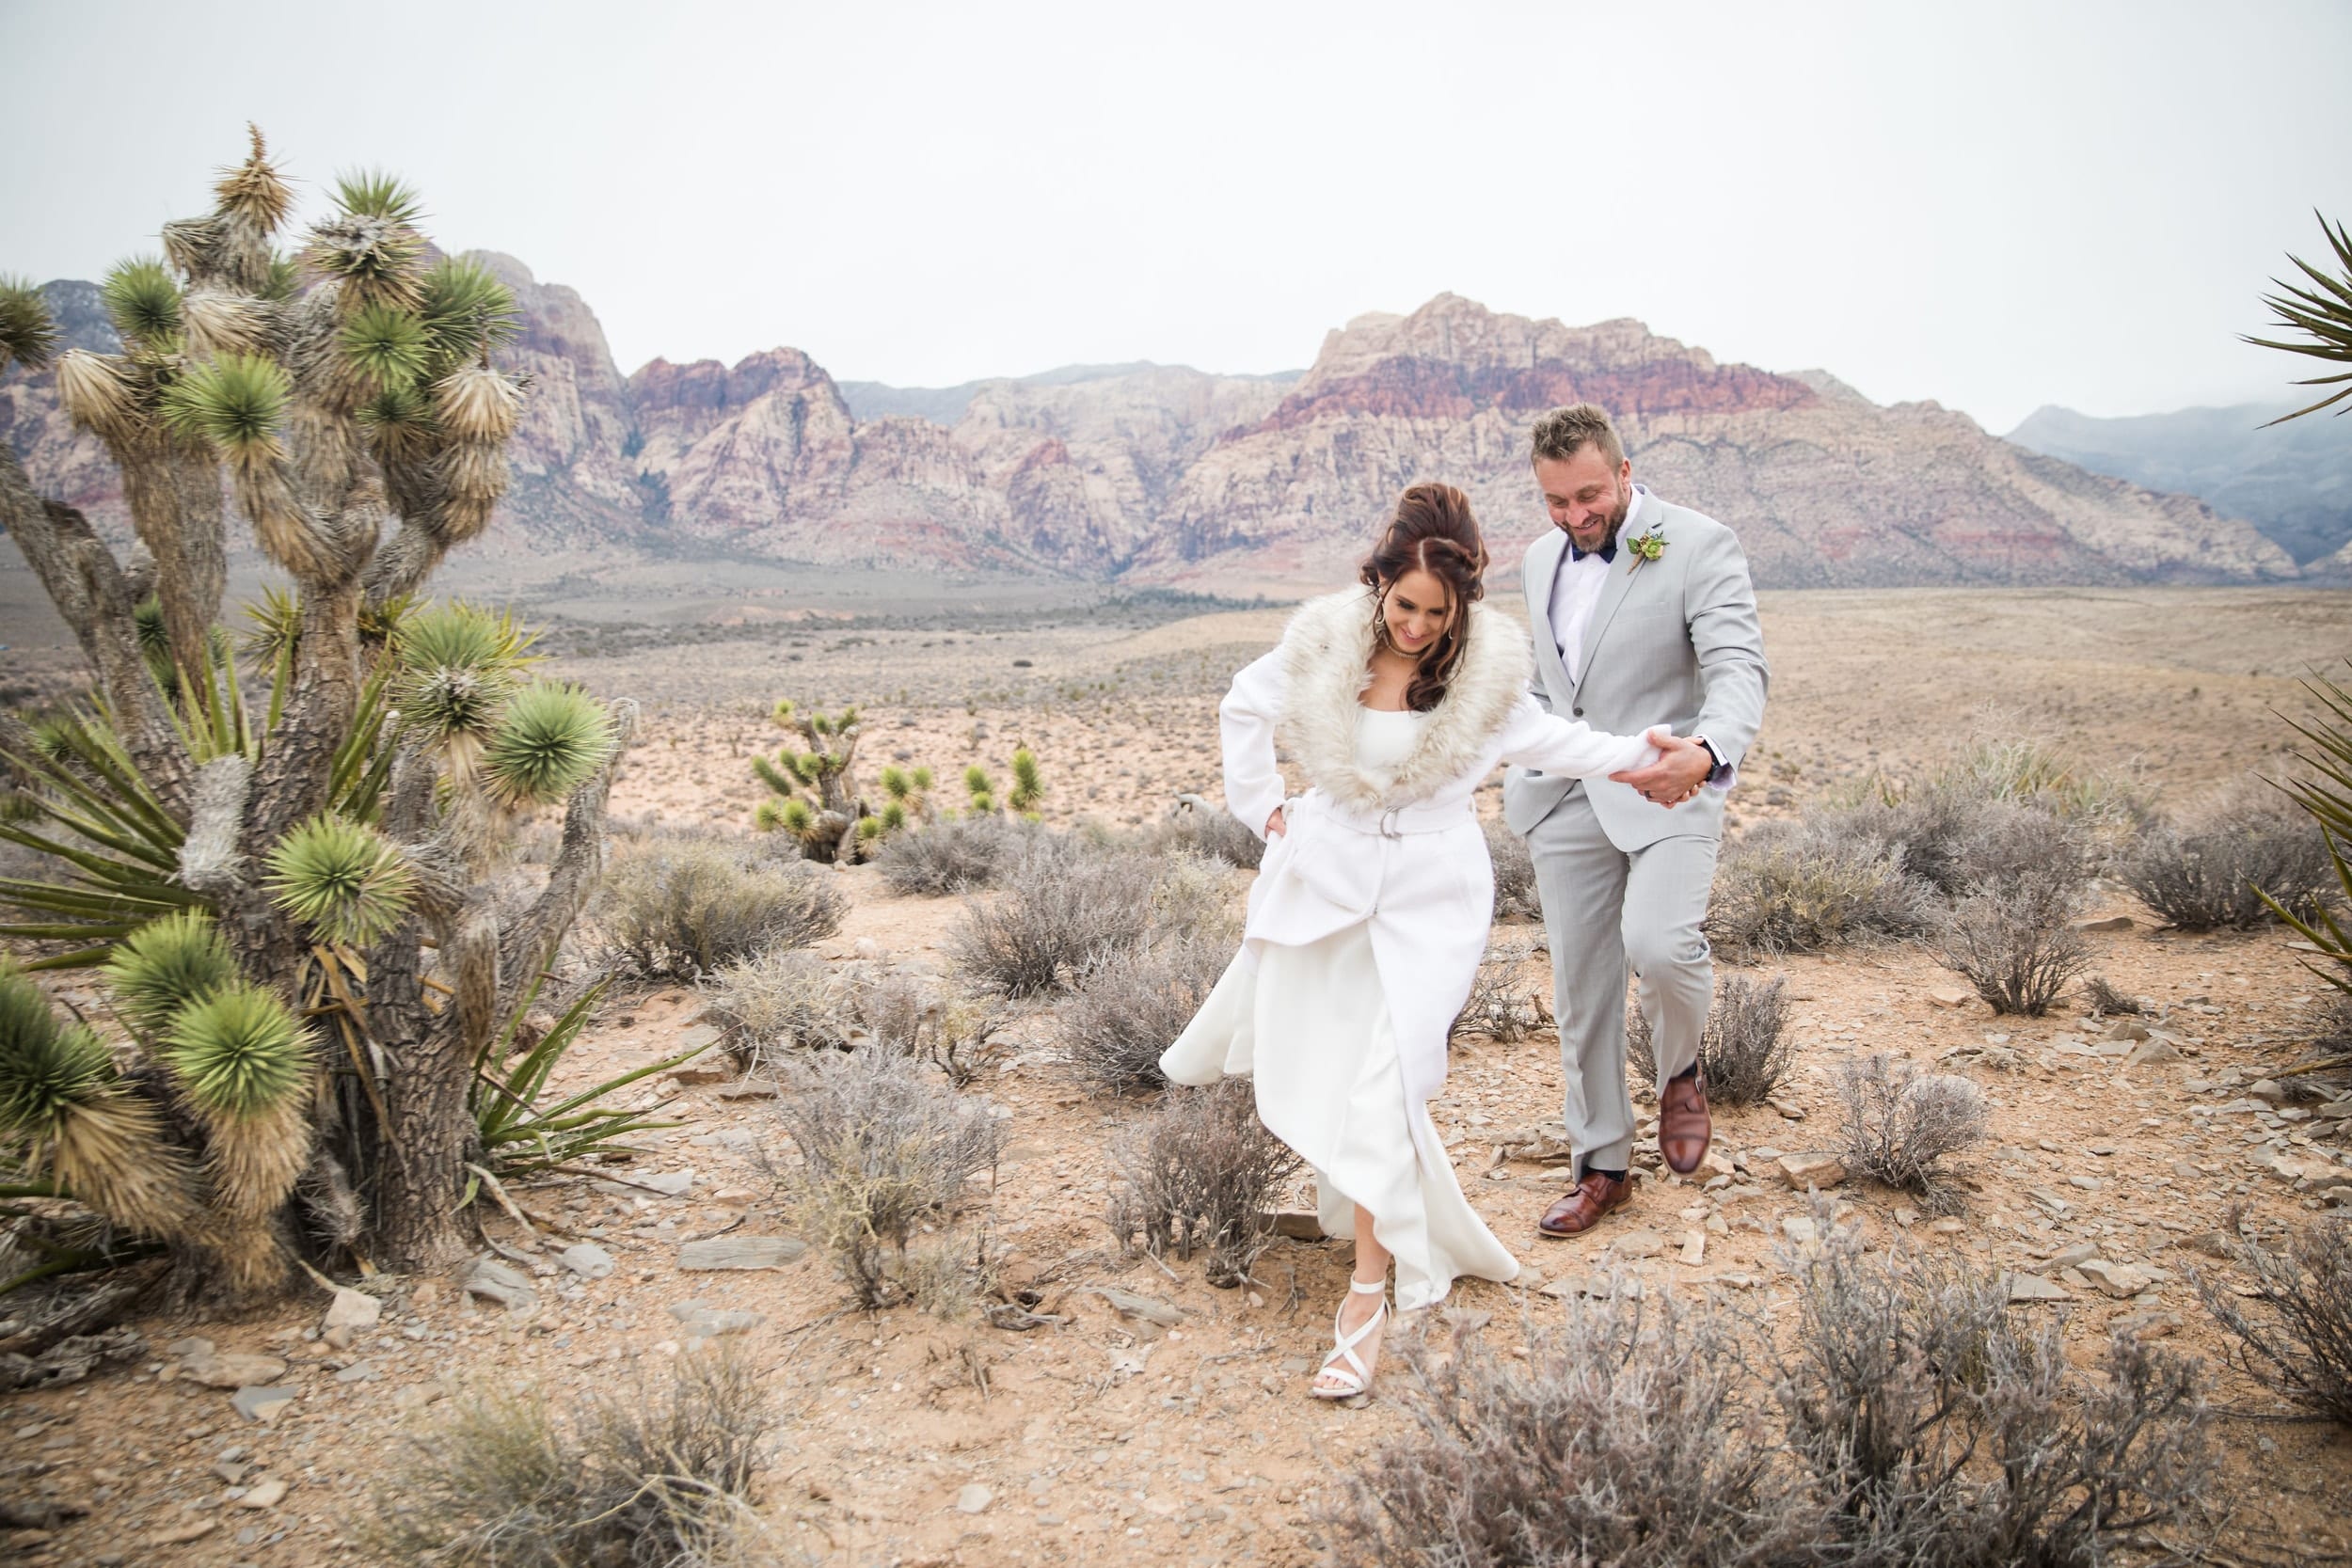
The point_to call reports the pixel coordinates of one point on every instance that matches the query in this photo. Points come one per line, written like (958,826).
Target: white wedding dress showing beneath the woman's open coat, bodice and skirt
(1309,1024)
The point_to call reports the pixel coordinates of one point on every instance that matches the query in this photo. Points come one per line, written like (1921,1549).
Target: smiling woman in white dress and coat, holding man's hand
(1372,909)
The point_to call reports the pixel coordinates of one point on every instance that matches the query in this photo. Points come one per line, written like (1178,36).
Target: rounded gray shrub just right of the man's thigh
(1812,885)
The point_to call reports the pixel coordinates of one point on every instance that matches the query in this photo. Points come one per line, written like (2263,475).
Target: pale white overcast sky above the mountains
(1993,206)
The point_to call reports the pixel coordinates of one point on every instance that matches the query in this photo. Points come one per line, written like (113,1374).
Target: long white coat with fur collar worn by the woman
(1401,852)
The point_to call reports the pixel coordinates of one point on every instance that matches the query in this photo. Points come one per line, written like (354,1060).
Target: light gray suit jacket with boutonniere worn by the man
(1676,643)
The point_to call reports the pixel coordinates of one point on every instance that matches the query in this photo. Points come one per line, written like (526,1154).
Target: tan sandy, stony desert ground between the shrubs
(1114,1440)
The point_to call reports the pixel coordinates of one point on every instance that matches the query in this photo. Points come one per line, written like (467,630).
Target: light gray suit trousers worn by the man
(1608,911)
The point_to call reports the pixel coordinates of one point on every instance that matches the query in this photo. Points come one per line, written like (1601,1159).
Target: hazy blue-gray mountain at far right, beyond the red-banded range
(2294,481)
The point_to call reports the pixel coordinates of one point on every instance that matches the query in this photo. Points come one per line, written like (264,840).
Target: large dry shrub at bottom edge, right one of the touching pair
(1942,1430)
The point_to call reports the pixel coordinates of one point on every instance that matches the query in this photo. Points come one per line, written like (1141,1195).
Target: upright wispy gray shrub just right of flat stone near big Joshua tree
(883,1153)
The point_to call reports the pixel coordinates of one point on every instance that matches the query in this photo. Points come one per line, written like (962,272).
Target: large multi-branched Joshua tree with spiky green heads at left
(293,902)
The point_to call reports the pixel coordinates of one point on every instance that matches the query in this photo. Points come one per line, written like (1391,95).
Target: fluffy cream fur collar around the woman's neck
(1328,662)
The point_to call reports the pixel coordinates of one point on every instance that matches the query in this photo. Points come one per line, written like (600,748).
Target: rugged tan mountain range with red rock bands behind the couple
(1168,476)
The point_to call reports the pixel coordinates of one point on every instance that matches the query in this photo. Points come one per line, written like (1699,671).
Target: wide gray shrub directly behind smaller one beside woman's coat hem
(1071,906)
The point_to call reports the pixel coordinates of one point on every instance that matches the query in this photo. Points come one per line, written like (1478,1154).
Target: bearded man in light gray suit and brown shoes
(1643,615)
